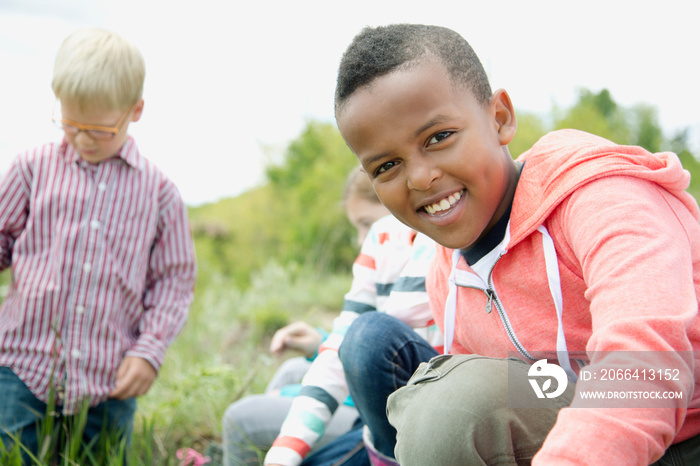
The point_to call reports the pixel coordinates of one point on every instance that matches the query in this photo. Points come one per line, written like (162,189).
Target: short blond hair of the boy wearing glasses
(95,67)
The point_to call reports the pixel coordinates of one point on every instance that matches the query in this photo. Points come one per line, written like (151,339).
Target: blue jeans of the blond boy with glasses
(21,411)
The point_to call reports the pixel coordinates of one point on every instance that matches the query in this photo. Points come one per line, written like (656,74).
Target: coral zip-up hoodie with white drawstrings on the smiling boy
(622,236)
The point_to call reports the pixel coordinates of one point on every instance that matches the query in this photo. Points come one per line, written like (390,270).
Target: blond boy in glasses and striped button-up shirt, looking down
(102,259)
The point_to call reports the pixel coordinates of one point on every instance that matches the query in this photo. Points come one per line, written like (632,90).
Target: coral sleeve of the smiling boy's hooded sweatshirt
(635,243)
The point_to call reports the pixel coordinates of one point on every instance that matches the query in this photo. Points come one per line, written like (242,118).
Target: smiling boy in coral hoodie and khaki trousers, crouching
(579,249)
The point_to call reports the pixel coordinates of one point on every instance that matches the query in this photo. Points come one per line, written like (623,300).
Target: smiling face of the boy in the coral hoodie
(436,156)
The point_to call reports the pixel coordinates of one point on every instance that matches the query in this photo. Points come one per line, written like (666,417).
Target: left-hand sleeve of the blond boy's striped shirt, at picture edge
(15,193)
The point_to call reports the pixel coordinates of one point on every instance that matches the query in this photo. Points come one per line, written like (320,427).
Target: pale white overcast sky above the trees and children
(230,83)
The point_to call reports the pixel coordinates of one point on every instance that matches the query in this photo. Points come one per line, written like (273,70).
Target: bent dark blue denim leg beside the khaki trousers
(379,355)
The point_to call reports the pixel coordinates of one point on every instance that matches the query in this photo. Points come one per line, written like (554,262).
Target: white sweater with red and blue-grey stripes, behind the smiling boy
(388,276)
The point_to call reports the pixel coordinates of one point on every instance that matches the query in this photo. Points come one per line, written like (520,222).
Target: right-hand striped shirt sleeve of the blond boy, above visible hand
(169,283)
